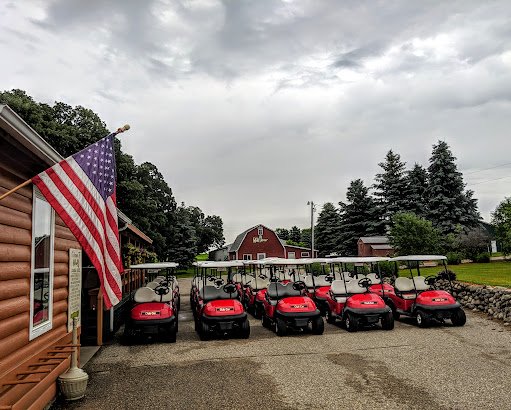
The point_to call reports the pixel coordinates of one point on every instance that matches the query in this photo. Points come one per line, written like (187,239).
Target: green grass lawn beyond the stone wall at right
(493,274)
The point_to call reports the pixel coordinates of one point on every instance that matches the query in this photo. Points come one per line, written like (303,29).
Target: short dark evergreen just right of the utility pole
(327,230)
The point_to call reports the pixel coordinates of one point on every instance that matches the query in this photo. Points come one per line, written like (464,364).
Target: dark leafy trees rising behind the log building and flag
(179,232)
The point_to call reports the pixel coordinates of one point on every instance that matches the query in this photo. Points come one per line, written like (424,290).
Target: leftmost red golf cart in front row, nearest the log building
(153,309)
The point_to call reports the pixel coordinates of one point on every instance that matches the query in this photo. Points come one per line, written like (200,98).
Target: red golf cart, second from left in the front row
(217,307)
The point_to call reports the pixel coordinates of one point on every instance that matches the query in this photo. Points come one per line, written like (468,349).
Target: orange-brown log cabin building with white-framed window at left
(34,273)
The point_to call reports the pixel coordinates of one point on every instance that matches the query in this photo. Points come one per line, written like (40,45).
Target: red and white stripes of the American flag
(93,221)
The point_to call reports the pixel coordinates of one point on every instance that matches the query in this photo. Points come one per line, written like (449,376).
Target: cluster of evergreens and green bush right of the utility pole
(420,209)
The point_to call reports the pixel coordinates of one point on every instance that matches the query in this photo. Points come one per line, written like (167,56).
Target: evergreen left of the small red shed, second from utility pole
(359,217)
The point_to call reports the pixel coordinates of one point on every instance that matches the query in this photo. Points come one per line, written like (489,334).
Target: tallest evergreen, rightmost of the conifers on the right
(449,206)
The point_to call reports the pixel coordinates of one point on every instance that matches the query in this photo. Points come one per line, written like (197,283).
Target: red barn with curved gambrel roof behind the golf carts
(261,242)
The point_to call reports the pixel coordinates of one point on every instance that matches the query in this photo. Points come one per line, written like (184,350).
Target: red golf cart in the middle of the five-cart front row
(285,305)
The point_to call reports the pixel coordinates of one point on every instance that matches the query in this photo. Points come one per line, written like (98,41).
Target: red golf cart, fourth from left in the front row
(351,301)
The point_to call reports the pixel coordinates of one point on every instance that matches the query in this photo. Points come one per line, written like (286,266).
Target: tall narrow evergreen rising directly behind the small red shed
(390,186)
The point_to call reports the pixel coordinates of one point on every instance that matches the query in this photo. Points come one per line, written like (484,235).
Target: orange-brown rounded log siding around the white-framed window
(16,350)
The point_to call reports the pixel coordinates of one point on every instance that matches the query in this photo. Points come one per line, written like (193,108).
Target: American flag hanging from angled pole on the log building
(81,189)
